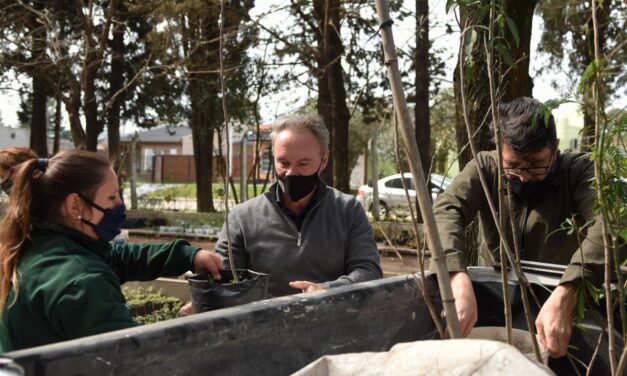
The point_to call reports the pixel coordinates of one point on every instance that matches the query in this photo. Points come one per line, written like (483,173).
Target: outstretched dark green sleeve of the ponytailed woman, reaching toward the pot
(145,262)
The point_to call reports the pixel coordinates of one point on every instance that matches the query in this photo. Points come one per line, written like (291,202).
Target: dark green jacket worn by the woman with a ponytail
(69,285)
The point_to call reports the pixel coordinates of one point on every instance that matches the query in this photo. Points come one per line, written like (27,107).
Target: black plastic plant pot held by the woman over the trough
(209,294)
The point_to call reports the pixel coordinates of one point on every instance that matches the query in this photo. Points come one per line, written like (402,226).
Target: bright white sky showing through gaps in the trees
(283,103)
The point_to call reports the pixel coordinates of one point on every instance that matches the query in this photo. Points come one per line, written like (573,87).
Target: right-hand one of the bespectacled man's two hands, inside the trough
(555,320)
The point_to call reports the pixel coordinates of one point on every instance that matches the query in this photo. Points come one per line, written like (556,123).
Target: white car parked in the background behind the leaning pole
(392,197)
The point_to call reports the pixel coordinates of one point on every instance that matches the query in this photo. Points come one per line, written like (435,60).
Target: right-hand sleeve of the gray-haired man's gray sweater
(363,262)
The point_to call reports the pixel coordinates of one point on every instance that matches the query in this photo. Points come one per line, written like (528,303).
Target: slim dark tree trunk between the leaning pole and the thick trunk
(422,83)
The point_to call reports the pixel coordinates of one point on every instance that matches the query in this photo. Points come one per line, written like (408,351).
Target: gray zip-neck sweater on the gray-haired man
(335,245)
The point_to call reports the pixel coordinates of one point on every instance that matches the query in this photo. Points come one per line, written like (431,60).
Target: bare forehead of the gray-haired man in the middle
(290,144)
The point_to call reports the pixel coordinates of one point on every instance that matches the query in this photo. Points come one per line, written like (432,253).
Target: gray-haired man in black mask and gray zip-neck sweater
(305,234)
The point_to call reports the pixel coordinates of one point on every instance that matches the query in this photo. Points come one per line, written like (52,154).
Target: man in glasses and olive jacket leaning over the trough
(547,188)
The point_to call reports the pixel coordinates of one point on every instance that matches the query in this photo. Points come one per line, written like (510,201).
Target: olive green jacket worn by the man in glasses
(538,219)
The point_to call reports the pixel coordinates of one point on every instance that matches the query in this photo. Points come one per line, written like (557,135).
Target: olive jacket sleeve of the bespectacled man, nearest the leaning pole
(454,209)
